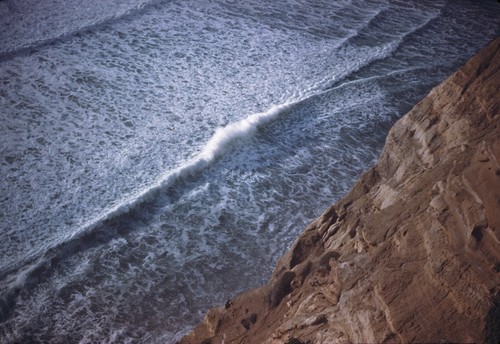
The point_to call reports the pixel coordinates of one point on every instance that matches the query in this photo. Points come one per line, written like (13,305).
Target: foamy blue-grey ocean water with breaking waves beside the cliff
(158,157)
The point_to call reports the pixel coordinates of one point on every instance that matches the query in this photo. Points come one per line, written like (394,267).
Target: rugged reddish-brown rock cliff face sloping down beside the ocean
(412,253)
